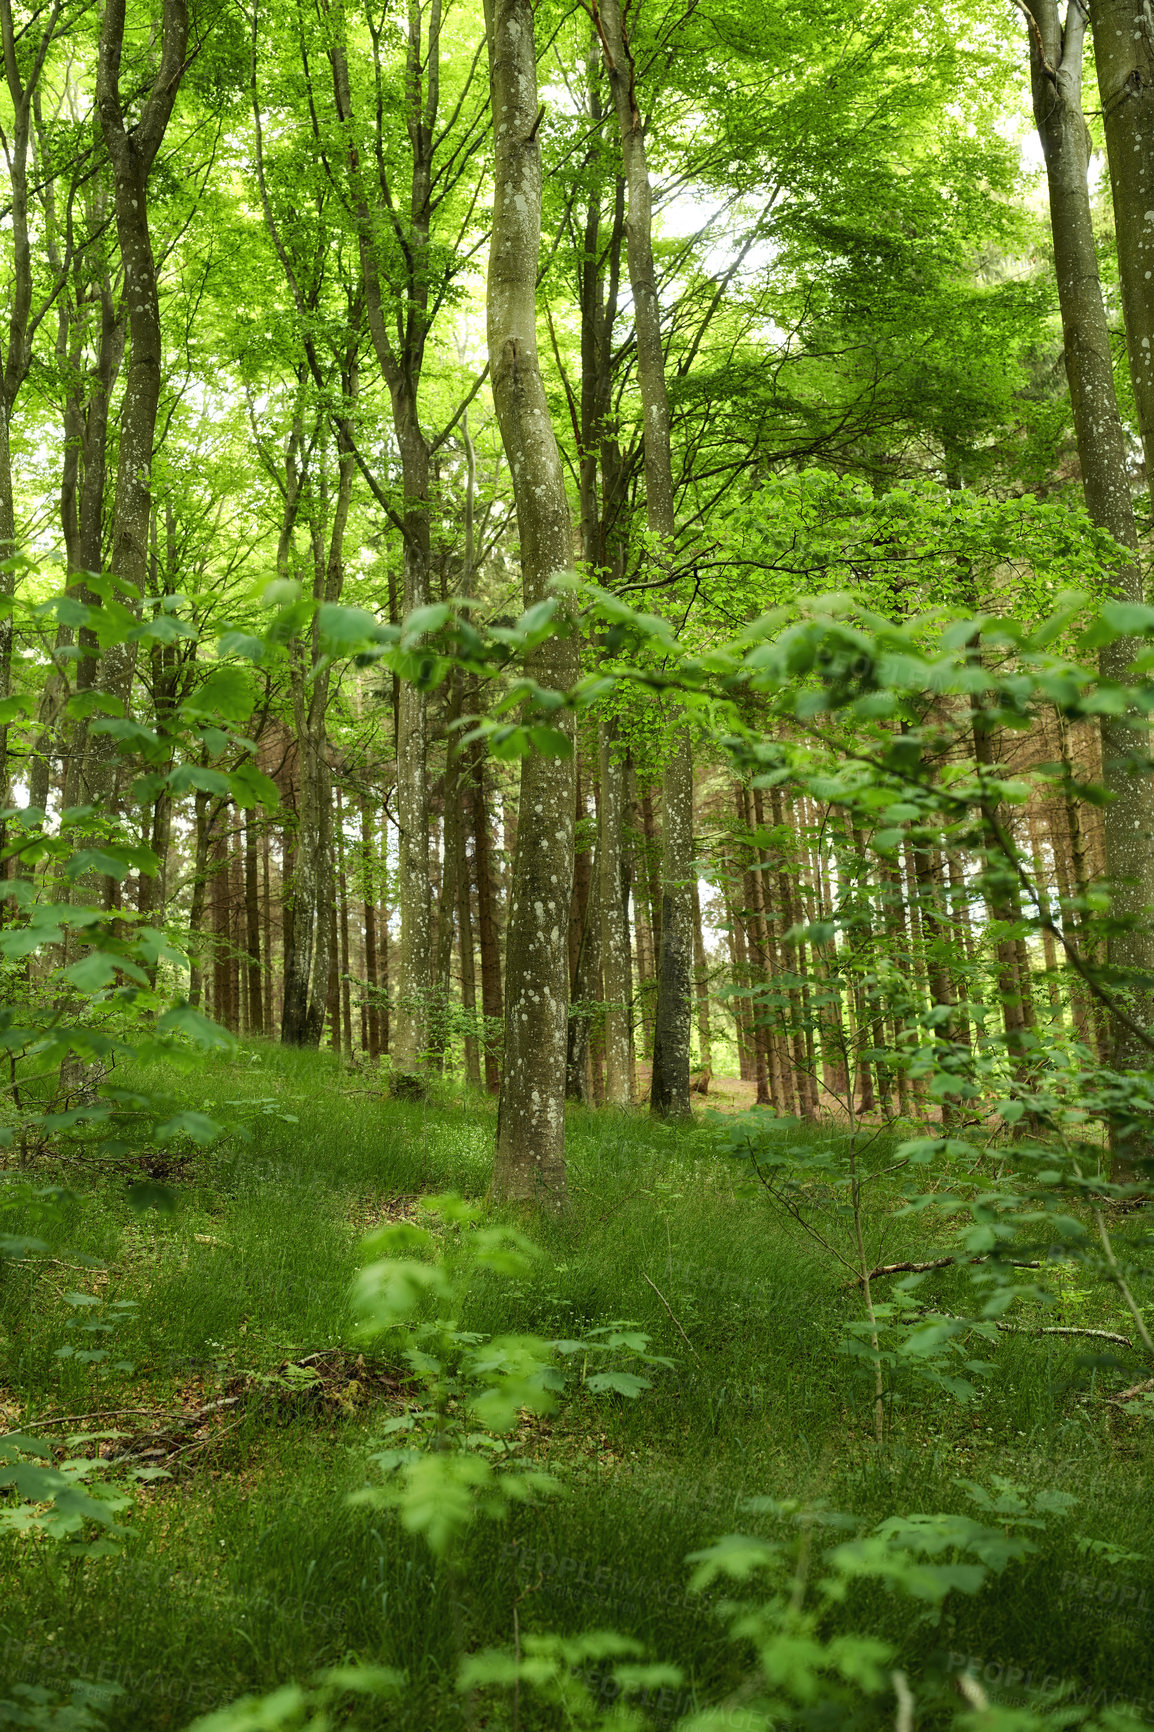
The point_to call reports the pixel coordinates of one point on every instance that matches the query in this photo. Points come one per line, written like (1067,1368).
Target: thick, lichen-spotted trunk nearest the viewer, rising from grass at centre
(531,1121)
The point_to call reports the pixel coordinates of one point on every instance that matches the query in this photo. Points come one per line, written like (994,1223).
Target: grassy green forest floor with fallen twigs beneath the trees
(249,1567)
